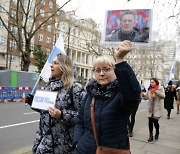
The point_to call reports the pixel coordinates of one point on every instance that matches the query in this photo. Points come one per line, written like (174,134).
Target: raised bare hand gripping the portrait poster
(124,48)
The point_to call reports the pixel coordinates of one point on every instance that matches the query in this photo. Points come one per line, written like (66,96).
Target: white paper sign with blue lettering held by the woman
(44,99)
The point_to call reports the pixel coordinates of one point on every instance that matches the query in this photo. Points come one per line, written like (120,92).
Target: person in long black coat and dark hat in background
(170,94)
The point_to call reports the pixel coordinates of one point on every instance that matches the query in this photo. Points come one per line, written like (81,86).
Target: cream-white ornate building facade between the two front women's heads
(81,40)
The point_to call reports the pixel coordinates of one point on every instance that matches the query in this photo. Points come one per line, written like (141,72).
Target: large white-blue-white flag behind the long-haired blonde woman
(58,48)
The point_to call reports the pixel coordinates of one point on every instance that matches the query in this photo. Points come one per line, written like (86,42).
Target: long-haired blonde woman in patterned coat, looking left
(56,126)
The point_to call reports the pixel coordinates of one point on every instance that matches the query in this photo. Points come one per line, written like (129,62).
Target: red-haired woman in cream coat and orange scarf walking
(155,95)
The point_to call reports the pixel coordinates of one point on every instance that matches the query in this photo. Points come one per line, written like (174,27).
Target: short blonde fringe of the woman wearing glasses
(103,59)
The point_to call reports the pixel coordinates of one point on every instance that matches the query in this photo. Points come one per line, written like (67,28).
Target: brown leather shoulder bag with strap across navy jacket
(102,149)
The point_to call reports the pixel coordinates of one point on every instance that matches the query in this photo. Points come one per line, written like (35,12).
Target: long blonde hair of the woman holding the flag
(67,70)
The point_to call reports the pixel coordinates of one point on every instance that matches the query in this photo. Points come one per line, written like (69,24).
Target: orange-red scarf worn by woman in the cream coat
(152,97)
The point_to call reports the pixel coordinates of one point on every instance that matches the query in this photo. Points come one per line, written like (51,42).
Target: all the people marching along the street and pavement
(67,128)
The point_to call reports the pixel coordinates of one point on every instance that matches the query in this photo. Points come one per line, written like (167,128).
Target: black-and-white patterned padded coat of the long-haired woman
(55,136)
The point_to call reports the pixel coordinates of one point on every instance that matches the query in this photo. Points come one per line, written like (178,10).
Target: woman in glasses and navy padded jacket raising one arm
(116,91)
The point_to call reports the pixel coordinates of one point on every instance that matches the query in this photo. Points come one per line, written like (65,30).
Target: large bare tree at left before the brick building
(25,17)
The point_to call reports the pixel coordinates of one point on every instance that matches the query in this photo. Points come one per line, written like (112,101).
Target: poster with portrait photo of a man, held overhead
(130,24)
